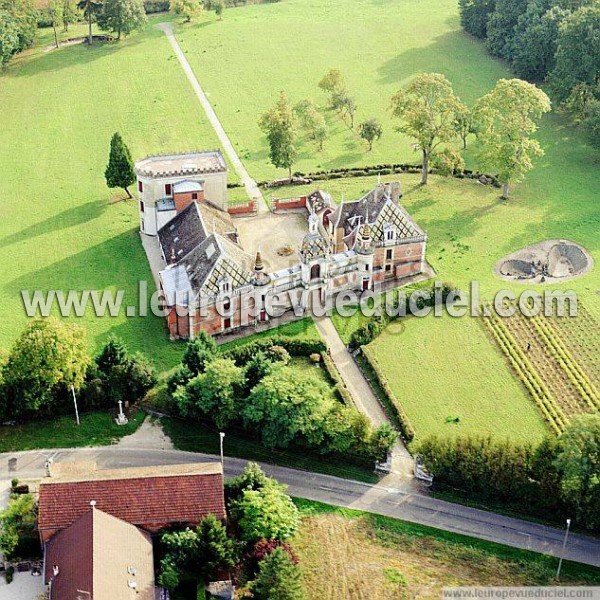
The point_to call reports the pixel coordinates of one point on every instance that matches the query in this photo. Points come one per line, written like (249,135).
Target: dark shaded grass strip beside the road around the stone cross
(96,429)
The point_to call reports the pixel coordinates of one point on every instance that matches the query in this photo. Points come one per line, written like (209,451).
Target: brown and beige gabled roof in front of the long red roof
(89,560)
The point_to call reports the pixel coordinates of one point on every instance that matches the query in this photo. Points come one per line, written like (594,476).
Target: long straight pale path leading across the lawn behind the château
(253,191)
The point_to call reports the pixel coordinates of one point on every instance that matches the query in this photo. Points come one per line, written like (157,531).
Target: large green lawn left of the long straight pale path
(61,228)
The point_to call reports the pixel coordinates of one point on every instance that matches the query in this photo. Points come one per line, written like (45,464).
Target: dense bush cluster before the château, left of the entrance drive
(252,387)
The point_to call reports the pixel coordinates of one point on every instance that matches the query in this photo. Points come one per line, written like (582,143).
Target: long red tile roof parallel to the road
(150,498)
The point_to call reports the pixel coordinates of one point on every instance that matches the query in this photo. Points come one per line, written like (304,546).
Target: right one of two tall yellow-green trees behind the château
(505,119)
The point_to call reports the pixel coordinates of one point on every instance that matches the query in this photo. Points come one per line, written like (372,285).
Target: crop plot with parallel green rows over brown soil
(540,358)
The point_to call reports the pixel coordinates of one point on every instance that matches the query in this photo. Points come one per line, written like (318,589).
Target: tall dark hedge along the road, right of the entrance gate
(560,476)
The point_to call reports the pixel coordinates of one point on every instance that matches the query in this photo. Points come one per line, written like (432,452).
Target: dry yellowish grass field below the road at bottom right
(406,560)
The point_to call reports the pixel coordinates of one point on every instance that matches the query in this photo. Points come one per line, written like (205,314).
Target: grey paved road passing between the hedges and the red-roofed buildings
(383,498)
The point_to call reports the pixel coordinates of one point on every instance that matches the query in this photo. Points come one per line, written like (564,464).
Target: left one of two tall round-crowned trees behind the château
(427,109)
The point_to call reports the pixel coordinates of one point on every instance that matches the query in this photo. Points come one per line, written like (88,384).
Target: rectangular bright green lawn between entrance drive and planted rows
(445,368)
